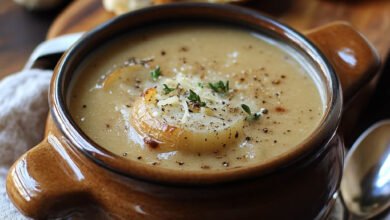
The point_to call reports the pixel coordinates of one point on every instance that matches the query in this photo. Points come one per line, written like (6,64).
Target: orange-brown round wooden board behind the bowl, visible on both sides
(371,17)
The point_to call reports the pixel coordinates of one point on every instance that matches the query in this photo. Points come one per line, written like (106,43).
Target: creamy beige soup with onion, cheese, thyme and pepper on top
(196,97)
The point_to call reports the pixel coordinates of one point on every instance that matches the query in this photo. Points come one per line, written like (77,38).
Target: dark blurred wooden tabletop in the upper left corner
(20,32)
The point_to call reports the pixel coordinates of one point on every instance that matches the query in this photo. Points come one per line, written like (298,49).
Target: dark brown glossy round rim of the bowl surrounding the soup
(311,147)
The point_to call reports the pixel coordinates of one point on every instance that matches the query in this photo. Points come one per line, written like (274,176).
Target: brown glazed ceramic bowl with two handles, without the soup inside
(68,174)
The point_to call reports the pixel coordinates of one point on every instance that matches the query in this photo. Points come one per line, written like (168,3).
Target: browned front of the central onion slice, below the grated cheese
(158,132)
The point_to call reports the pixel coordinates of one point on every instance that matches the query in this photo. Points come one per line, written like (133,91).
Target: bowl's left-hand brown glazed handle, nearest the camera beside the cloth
(45,181)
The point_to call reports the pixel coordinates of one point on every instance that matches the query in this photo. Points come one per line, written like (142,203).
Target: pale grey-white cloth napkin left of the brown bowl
(23,112)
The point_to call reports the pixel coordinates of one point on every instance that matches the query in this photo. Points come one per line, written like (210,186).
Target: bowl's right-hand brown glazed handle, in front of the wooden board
(353,58)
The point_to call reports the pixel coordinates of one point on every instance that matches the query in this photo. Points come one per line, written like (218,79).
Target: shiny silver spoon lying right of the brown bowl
(365,187)
